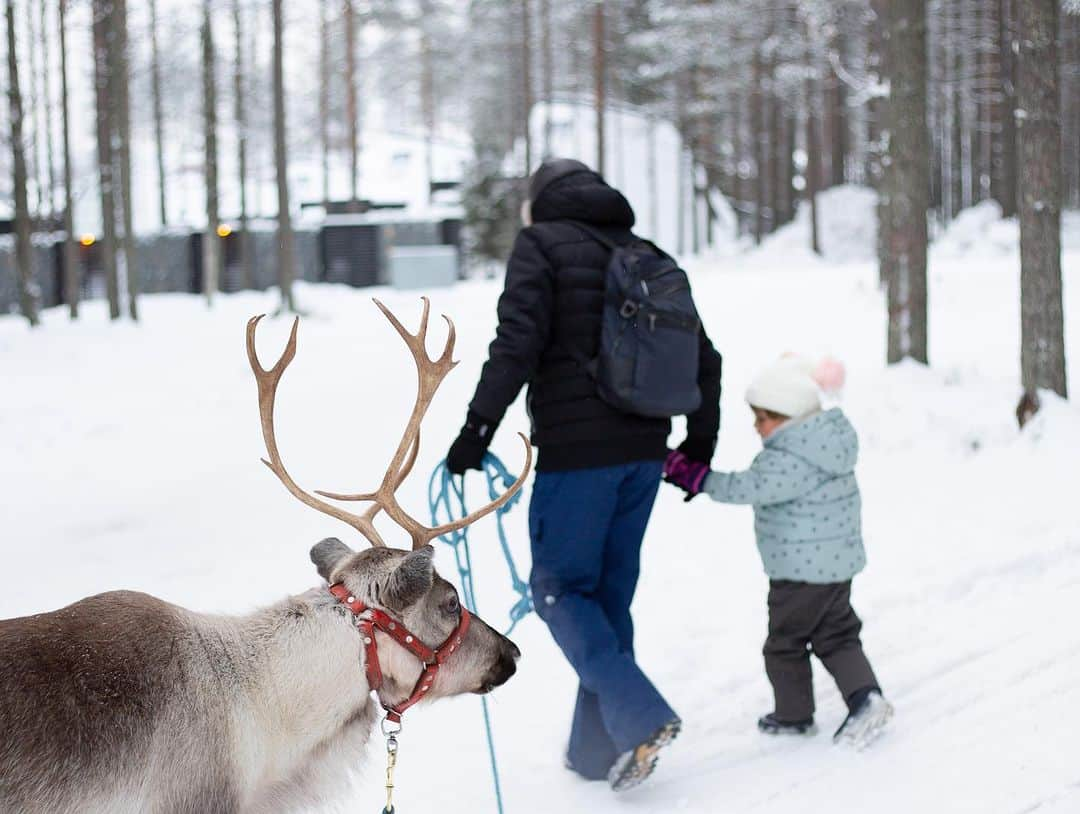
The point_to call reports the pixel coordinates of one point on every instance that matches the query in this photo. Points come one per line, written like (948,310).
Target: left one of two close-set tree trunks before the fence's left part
(103,40)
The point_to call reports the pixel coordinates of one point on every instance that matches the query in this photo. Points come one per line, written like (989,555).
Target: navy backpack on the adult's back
(650,347)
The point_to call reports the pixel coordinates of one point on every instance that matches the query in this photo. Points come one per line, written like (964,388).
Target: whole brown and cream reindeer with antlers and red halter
(125,703)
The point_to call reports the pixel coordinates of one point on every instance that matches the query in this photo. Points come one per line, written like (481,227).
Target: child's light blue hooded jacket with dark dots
(806,500)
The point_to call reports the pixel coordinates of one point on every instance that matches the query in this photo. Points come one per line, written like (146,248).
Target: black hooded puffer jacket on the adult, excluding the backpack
(553,300)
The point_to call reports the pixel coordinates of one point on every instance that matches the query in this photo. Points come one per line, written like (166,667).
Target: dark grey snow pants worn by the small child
(806,618)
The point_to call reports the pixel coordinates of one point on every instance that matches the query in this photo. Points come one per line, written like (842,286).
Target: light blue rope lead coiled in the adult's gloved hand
(447,496)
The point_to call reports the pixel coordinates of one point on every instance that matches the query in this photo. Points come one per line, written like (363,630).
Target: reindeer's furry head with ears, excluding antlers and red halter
(407,587)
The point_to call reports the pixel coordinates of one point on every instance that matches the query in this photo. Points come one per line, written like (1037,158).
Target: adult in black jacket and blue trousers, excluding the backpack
(598,469)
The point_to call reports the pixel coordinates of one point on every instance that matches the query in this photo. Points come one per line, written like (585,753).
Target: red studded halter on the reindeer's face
(433,659)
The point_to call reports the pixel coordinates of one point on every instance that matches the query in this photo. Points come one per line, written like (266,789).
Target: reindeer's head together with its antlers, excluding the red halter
(404,585)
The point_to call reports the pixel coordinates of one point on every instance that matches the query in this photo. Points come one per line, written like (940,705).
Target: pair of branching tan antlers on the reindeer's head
(430,375)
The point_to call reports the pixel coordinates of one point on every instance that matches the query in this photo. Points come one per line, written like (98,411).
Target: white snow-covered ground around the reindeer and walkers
(129,458)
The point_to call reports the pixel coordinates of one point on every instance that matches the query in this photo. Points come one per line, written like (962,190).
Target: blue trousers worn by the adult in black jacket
(587,528)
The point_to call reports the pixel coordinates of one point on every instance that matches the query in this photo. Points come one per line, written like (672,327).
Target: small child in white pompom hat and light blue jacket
(807,522)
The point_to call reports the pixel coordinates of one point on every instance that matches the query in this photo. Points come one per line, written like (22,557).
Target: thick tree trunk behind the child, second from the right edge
(910,187)
